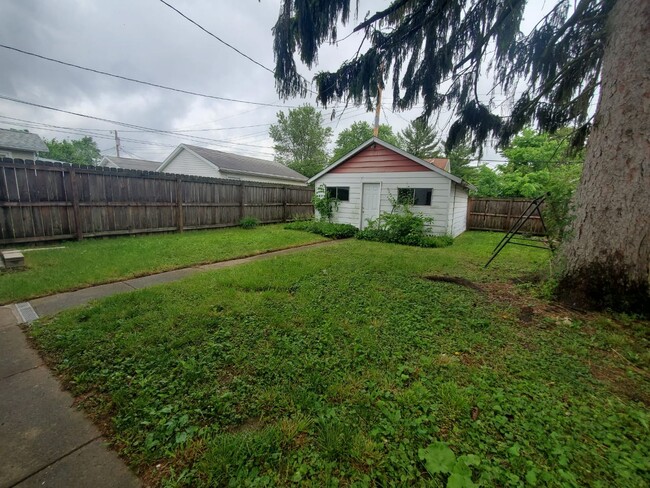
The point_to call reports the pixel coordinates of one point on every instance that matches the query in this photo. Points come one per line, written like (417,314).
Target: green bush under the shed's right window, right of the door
(402,226)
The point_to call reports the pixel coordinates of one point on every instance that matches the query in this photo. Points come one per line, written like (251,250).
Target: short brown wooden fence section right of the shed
(500,214)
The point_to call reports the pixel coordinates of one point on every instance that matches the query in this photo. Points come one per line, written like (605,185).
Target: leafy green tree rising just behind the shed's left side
(301,140)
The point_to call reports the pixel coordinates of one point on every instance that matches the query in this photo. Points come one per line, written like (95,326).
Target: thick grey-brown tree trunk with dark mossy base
(607,257)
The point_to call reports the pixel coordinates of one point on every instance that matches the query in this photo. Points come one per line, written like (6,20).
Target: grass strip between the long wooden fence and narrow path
(96,261)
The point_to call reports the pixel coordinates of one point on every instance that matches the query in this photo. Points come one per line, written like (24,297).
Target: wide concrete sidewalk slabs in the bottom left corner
(44,441)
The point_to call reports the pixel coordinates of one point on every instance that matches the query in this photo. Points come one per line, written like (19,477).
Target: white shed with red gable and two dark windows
(366,178)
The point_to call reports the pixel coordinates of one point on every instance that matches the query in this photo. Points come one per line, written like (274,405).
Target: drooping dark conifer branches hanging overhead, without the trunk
(435,51)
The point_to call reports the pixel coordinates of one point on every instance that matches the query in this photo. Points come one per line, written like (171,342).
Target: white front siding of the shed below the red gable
(350,212)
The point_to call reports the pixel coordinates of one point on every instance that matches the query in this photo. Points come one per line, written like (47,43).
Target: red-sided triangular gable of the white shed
(378,159)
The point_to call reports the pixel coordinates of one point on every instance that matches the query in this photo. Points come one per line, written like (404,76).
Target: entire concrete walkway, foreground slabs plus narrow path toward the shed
(44,440)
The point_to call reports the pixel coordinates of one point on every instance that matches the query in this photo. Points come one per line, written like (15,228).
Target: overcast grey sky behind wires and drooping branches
(146,40)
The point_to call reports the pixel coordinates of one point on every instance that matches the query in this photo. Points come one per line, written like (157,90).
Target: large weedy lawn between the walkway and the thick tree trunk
(342,366)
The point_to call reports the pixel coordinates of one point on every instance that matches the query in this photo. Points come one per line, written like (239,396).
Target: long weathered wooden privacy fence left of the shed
(42,201)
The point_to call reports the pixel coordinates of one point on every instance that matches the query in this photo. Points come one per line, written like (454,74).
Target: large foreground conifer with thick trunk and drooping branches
(575,49)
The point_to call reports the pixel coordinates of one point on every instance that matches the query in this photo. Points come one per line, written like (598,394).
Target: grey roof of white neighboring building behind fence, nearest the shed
(238,164)
